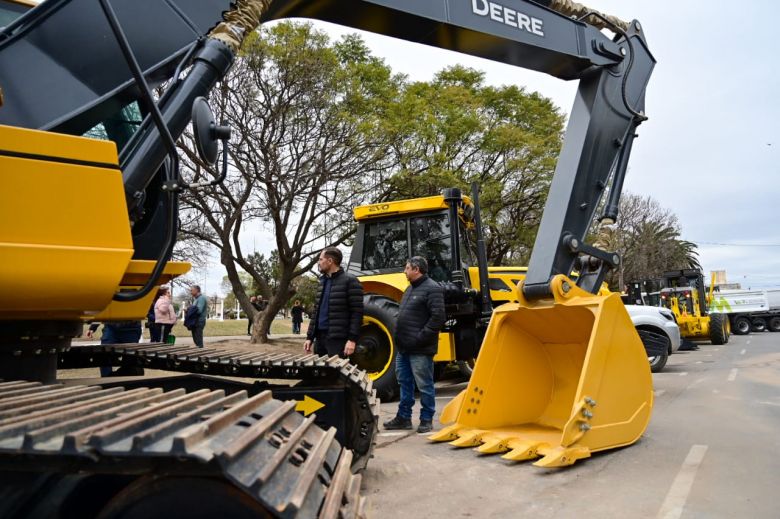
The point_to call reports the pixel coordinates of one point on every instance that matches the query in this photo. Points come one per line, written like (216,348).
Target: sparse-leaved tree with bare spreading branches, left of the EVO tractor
(306,148)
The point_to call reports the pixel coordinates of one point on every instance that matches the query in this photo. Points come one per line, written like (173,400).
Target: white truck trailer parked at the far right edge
(748,310)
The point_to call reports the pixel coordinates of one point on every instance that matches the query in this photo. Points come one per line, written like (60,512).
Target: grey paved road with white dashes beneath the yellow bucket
(712,450)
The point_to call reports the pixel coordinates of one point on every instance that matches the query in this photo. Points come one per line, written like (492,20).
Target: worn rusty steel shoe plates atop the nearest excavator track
(260,445)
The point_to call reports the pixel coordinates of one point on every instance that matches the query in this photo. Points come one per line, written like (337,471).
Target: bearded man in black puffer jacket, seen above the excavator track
(338,310)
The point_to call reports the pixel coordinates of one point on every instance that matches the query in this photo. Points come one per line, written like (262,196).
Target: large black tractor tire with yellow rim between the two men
(375,351)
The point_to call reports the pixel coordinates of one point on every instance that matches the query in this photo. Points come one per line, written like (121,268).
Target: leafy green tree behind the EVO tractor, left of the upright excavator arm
(456,130)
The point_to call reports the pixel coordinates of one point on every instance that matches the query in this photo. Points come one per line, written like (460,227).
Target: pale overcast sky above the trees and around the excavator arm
(710,149)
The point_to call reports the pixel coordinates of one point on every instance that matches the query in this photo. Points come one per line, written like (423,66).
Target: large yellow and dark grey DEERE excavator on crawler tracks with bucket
(88,216)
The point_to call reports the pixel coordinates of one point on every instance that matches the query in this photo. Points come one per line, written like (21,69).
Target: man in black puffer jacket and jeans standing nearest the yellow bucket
(420,318)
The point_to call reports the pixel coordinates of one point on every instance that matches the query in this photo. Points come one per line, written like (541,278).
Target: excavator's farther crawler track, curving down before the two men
(349,388)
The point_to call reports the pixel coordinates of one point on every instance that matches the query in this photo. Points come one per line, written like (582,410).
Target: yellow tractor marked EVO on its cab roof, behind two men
(443,230)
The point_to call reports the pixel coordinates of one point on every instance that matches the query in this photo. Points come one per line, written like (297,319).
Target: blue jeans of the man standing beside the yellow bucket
(411,369)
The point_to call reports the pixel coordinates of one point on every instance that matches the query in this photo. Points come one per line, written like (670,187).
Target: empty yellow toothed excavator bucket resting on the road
(555,379)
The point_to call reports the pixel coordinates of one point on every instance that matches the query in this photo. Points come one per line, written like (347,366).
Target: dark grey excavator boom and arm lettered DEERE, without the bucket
(613,75)
